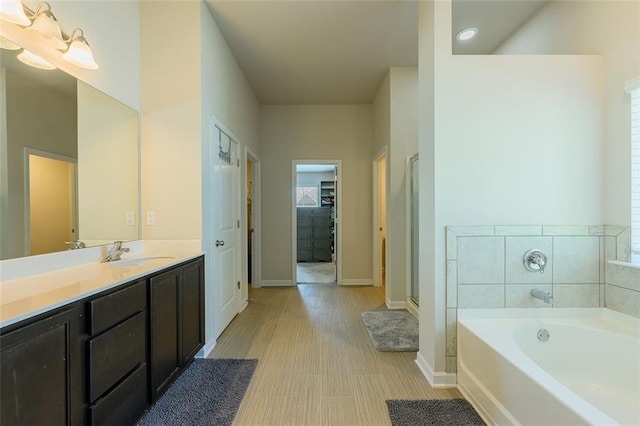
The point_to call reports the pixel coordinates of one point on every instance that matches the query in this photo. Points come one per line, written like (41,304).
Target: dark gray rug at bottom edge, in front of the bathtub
(456,412)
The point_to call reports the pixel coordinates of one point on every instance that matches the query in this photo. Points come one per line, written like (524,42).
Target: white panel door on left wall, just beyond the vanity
(224,241)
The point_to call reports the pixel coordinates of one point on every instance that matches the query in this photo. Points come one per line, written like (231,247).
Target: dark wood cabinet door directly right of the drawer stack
(164,328)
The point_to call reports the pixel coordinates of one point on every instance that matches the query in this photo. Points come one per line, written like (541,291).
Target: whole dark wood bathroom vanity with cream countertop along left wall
(106,355)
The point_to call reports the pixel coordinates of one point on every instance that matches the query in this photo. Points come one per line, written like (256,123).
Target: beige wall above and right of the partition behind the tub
(610,28)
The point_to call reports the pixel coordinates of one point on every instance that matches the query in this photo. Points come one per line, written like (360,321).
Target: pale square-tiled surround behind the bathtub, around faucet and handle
(485,268)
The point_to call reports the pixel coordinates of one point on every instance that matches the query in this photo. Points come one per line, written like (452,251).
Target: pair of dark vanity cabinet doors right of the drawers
(177,322)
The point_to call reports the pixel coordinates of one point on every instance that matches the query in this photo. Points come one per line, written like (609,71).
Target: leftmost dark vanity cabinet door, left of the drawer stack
(39,382)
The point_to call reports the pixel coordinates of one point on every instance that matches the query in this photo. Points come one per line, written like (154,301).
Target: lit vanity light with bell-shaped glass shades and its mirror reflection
(43,22)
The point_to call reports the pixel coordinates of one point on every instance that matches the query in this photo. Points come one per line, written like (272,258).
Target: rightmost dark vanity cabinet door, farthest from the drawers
(192,310)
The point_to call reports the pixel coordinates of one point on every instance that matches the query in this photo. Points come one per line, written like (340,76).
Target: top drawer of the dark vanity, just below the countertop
(109,310)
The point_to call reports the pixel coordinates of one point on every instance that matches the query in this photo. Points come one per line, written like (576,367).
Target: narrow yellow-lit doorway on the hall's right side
(380,219)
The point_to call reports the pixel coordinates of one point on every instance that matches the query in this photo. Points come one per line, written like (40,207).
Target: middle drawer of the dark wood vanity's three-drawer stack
(115,353)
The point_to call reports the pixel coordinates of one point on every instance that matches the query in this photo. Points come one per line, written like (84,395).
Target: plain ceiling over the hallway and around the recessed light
(338,51)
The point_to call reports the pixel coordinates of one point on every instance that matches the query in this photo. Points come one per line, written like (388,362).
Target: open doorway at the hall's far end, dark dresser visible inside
(316,222)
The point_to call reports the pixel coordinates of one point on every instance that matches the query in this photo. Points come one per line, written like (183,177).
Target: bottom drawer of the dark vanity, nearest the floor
(125,403)
